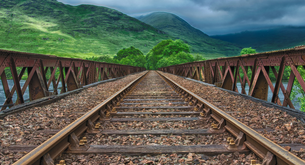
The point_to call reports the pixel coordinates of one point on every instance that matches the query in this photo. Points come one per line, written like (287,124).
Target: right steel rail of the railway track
(260,145)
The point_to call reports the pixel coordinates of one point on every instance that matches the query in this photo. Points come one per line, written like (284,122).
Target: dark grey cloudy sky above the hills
(215,16)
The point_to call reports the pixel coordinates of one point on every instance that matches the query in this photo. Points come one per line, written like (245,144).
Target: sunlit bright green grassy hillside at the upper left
(51,27)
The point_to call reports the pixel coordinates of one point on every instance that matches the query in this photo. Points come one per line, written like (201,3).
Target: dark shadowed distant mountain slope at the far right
(267,40)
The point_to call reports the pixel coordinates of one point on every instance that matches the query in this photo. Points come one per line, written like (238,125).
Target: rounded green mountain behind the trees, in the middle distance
(179,28)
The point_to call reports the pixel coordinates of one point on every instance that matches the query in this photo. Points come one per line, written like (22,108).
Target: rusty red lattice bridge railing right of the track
(227,72)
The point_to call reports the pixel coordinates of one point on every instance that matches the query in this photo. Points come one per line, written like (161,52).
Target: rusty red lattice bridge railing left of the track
(45,75)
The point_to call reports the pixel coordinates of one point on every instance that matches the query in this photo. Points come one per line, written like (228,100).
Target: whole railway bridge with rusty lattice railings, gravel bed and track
(73,111)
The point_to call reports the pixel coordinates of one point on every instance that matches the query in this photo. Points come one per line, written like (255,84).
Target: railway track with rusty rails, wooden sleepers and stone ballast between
(153,115)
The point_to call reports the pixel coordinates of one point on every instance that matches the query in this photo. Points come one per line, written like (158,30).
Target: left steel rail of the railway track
(60,141)
